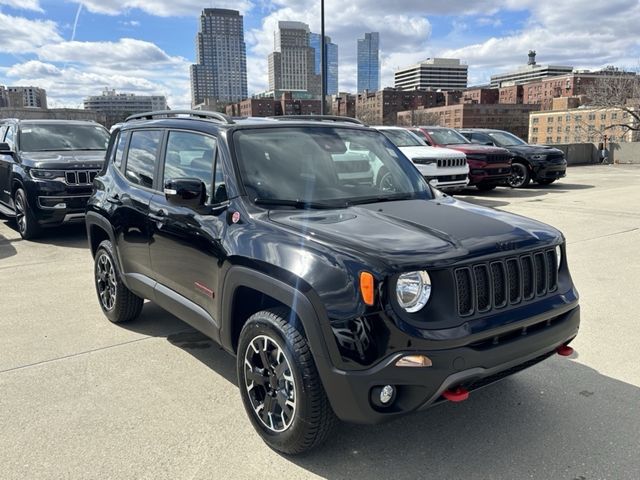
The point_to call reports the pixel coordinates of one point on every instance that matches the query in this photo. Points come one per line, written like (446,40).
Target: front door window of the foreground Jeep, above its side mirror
(191,155)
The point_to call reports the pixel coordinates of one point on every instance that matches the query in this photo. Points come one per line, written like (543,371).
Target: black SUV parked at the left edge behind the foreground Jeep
(46,170)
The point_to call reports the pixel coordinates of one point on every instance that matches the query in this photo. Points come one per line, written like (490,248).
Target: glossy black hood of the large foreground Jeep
(409,232)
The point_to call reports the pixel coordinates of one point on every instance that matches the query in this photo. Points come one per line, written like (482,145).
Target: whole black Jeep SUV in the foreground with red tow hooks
(340,297)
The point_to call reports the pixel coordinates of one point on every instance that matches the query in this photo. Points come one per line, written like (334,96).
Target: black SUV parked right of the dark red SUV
(539,163)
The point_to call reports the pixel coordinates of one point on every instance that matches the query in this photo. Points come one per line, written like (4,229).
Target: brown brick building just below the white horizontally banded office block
(382,107)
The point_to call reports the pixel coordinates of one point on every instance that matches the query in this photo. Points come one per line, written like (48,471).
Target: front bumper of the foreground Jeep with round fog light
(471,366)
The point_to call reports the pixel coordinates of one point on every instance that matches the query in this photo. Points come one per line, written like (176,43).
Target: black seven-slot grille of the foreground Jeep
(483,287)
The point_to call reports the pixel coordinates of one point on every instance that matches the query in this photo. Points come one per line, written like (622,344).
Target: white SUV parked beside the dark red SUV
(445,168)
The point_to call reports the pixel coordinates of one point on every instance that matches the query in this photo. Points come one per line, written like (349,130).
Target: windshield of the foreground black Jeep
(323,167)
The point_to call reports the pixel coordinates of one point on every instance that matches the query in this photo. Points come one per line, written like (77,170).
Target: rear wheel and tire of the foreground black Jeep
(118,303)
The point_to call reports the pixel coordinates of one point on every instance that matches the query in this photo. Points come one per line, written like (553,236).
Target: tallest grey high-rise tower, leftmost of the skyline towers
(220,71)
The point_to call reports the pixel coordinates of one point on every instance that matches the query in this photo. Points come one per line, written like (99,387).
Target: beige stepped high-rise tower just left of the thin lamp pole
(292,64)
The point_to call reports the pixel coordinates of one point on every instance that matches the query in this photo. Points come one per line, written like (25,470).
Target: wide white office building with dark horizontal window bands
(433,74)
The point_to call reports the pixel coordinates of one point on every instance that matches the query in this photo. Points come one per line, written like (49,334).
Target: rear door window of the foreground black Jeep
(142,157)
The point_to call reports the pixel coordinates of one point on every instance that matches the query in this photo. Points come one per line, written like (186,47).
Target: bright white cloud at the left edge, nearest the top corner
(20,35)
